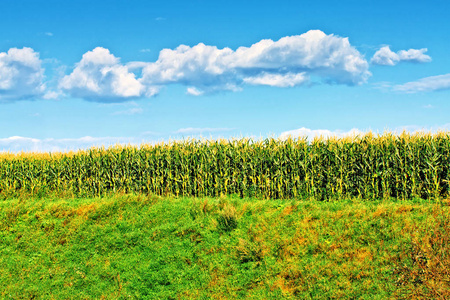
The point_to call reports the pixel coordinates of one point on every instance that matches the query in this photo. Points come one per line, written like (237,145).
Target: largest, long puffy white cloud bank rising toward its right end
(288,62)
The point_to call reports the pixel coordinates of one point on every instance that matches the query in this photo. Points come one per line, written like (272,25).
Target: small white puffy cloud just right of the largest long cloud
(386,57)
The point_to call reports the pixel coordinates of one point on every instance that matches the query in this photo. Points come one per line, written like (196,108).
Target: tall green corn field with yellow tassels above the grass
(370,166)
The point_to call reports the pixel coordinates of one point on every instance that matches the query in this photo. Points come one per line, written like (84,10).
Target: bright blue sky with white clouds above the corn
(74,74)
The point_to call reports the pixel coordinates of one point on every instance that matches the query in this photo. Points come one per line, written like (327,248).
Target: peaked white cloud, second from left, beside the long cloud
(100,77)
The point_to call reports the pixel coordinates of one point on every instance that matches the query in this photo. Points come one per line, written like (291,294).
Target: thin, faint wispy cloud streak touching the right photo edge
(427,84)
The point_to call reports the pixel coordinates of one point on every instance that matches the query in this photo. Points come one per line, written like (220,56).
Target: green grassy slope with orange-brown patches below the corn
(130,246)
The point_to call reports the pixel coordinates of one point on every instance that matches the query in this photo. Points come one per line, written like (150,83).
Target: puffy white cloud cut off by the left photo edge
(21,75)
